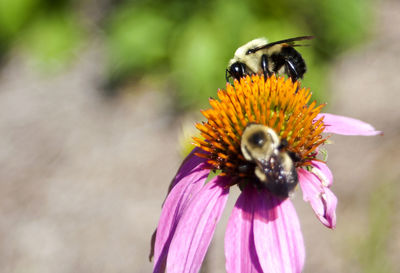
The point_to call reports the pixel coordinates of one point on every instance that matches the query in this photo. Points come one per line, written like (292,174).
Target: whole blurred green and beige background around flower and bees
(98,99)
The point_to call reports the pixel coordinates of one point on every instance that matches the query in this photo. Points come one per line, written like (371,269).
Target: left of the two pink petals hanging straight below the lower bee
(240,251)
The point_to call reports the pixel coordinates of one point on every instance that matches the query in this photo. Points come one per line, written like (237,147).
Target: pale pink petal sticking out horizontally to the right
(346,126)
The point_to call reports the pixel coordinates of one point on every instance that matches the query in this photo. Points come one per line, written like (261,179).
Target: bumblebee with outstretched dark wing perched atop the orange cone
(259,56)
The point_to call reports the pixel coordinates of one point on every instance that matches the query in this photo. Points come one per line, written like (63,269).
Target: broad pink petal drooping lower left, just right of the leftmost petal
(196,227)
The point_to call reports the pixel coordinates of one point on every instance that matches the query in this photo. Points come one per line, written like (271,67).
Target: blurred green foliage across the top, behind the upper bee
(181,44)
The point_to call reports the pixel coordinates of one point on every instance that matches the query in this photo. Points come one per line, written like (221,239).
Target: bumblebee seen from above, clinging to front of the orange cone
(274,167)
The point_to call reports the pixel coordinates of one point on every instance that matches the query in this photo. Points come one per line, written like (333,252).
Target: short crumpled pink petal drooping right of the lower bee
(322,199)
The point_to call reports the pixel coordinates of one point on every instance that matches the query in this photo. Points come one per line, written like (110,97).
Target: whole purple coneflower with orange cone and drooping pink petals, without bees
(263,232)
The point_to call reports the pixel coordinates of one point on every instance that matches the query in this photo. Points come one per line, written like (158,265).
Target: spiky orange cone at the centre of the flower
(276,103)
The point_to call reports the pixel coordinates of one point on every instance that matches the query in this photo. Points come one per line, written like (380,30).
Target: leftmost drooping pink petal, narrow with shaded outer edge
(177,200)
